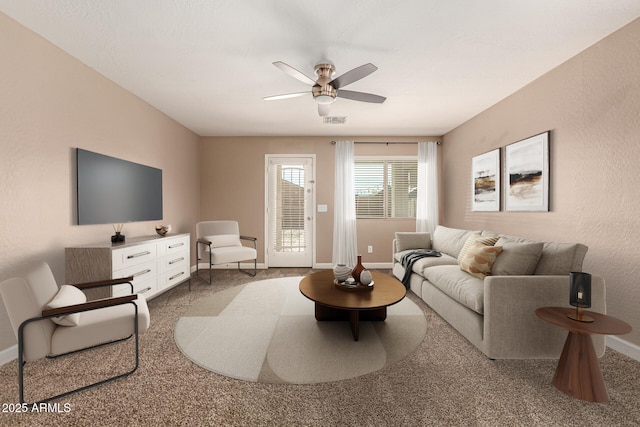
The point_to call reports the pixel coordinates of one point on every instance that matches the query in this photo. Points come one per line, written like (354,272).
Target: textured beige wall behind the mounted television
(49,104)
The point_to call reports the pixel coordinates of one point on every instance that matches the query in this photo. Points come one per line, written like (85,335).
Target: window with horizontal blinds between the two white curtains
(386,187)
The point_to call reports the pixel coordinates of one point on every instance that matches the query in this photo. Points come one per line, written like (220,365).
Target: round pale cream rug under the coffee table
(266,331)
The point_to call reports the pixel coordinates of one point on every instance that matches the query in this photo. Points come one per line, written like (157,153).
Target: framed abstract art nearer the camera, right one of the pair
(527,174)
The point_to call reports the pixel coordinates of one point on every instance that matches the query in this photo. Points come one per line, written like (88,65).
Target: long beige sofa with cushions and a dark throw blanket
(496,312)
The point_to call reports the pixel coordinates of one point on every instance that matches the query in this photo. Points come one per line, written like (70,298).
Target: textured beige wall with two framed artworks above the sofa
(591,105)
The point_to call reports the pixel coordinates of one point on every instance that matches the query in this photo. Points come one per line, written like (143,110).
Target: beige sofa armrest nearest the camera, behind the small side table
(511,328)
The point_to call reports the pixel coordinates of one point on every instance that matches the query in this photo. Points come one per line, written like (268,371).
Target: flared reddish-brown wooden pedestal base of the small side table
(578,373)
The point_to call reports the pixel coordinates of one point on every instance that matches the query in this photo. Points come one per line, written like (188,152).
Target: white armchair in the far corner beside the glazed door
(221,243)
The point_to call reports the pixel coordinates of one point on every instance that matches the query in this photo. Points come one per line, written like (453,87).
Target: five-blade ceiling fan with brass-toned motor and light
(325,89)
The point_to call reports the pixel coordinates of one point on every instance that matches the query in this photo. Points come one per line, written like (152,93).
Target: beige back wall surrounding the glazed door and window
(232,187)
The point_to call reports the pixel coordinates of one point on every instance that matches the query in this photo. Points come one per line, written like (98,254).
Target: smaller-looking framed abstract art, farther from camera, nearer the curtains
(485,181)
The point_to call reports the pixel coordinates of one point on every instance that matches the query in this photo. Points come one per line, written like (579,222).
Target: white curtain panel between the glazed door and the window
(345,243)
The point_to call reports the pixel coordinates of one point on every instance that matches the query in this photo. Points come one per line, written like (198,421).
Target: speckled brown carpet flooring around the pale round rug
(444,382)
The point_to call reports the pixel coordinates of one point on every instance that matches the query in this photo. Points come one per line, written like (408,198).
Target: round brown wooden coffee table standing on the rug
(332,303)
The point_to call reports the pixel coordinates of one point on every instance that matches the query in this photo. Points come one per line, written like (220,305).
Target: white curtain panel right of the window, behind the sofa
(427,198)
